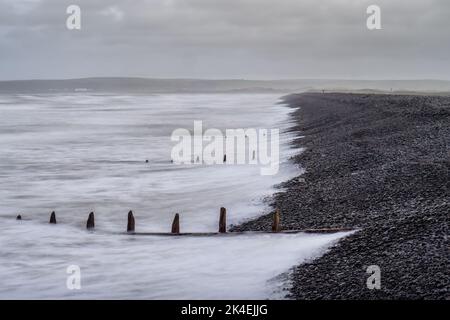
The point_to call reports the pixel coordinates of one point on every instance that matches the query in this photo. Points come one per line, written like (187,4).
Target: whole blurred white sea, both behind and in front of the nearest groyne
(81,153)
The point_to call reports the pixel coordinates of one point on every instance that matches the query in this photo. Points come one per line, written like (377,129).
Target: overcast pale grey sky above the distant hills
(251,39)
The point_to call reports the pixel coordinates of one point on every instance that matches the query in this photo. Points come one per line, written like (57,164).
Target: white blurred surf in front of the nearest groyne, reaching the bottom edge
(127,267)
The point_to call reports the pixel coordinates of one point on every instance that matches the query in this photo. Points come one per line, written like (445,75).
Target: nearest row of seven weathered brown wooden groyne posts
(90,223)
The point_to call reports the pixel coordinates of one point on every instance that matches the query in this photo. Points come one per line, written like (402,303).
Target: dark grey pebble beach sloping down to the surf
(379,163)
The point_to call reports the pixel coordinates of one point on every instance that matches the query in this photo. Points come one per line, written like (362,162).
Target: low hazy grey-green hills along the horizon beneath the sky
(149,86)
